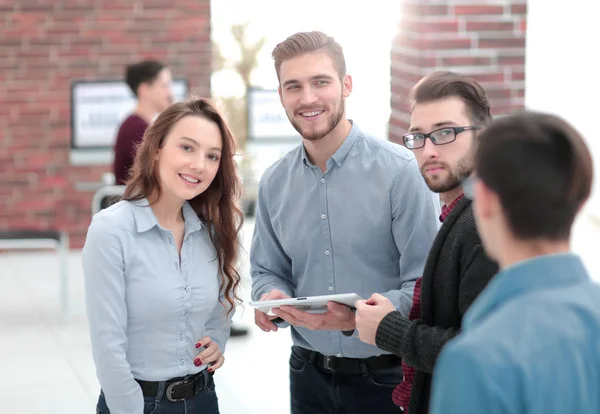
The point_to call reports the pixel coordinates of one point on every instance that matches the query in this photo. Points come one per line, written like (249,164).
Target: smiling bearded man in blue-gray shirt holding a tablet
(343,212)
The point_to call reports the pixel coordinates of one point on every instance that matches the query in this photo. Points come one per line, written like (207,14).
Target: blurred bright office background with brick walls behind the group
(62,98)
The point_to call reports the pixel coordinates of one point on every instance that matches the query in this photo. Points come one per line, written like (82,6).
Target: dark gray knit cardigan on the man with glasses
(457,270)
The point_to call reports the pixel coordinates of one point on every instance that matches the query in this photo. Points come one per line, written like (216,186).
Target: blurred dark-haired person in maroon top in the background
(150,82)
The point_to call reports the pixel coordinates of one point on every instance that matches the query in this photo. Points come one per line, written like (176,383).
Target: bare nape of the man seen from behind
(520,250)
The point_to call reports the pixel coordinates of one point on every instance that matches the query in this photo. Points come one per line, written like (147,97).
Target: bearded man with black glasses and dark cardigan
(448,109)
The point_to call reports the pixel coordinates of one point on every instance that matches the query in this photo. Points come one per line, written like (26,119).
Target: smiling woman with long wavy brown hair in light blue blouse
(159,267)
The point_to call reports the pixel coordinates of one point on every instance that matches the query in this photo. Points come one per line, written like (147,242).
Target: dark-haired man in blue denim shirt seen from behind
(530,343)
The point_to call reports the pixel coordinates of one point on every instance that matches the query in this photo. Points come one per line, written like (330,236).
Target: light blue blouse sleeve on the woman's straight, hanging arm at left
(104,277)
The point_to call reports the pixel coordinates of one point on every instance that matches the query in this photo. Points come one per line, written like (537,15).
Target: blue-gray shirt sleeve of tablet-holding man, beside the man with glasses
(414,226)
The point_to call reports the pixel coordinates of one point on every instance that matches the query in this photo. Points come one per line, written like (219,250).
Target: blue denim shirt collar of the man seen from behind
(538,274)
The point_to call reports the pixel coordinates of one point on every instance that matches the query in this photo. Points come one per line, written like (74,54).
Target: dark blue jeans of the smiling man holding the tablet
(315,390)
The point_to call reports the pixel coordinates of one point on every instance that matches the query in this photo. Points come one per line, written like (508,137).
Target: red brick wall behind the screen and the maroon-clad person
(46,44)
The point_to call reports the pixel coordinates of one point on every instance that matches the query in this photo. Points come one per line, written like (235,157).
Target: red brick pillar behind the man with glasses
(485,40)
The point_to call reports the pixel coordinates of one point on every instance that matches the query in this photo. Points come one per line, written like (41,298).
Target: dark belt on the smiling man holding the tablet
(351,366)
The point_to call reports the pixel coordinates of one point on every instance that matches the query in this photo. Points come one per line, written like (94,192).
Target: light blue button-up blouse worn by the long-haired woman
(146,305)
